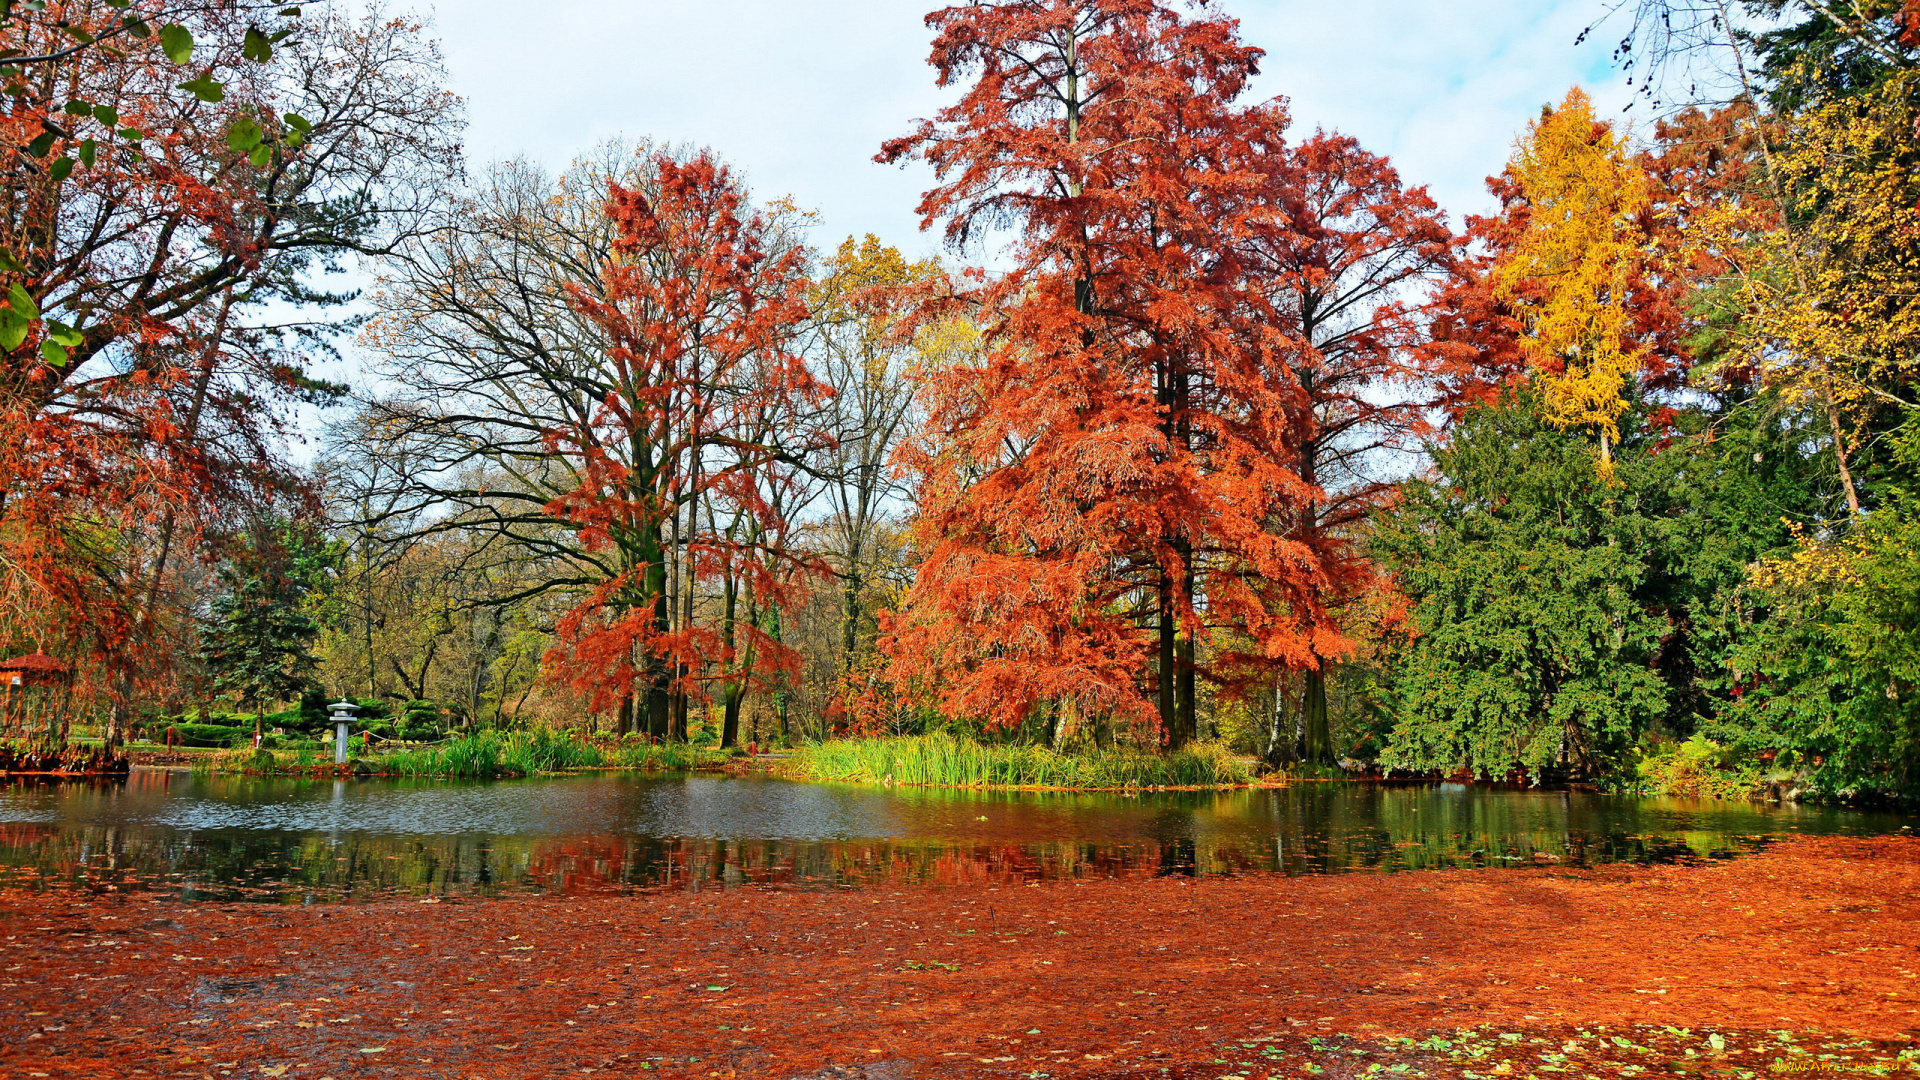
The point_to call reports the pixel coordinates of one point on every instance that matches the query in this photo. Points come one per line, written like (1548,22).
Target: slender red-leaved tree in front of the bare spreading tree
(694,441)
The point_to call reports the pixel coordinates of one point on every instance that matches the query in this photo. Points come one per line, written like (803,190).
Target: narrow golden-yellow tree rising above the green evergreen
(1570,274)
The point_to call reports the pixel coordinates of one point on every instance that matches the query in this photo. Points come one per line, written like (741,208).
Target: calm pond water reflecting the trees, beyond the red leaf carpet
(204,837)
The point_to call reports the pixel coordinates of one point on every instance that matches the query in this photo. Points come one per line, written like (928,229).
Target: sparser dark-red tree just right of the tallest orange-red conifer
(1339,270)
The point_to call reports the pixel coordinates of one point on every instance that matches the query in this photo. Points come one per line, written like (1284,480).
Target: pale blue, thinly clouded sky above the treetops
(802,93)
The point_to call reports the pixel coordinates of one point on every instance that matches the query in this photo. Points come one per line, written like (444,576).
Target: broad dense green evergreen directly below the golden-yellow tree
(1564,614)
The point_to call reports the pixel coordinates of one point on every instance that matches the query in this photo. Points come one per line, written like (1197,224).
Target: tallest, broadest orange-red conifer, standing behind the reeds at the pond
(1124,433)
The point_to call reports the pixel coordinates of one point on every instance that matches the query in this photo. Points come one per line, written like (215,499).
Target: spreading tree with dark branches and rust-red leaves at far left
(160,220)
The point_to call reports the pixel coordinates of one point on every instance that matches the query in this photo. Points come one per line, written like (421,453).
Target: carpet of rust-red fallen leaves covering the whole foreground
(1779,958)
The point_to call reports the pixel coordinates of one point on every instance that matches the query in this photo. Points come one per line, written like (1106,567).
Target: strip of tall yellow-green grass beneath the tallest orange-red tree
(949,762)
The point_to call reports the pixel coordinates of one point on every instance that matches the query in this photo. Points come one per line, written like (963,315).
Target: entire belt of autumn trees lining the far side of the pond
(1236,437)
